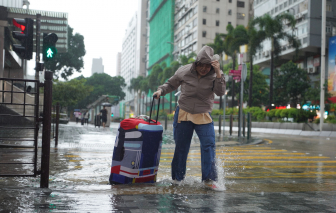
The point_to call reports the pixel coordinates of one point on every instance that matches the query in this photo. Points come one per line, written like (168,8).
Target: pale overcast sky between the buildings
(101,22)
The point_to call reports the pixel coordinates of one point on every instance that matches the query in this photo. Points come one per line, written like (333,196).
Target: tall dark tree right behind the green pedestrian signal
(65,64)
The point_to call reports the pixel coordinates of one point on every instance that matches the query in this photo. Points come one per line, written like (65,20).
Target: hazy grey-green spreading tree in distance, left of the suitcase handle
(103,84)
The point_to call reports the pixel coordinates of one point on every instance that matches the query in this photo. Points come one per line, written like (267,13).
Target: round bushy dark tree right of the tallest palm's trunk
(291,84)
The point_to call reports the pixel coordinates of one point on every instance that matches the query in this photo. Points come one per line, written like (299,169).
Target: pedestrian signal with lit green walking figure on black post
(49,46)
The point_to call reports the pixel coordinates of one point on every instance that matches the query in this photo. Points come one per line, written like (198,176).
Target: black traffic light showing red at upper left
(25,36)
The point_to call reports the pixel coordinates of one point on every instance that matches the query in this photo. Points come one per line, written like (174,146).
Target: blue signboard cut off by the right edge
(332,66)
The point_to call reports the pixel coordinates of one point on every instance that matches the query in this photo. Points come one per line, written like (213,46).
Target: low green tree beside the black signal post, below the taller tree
(69,93)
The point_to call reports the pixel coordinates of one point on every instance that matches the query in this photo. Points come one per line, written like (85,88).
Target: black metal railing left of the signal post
(19,125)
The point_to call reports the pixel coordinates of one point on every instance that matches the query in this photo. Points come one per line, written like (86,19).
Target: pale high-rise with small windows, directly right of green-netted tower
(196,23)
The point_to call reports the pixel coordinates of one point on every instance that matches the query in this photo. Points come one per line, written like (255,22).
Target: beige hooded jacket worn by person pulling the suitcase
(197,94)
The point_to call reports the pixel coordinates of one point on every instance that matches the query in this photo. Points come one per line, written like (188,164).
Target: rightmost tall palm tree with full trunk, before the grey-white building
(274,29)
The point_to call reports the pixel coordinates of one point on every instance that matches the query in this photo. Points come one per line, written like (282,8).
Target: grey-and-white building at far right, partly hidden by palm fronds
(308,15)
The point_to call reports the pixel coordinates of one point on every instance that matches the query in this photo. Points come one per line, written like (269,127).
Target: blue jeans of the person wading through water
(182,135)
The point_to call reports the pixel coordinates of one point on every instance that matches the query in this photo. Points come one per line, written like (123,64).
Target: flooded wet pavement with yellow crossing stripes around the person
(282,174)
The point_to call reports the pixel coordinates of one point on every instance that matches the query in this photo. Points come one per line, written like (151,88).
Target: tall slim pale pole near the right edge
(323,38)
